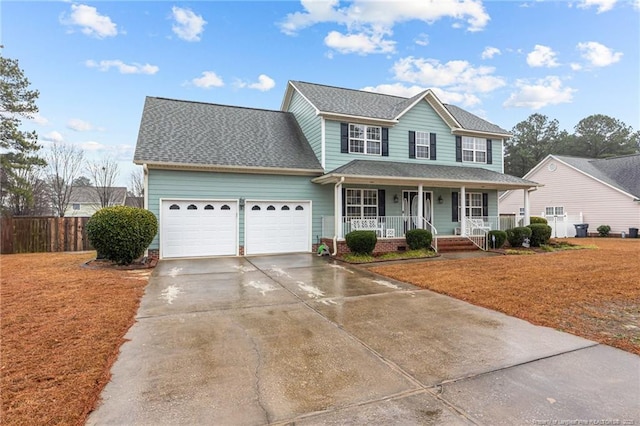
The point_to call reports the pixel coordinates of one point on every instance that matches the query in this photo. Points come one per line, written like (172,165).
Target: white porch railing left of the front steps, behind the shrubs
(384,226)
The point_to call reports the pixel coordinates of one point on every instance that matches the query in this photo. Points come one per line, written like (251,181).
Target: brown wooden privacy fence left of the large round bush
(43,234)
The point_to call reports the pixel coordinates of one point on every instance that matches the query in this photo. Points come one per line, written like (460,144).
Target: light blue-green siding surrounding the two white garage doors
(207,185)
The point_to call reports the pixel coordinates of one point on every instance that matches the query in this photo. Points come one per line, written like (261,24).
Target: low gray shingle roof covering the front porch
(428,172)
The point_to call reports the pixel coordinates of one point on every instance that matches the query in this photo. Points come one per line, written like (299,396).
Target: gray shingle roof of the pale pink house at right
(620,172)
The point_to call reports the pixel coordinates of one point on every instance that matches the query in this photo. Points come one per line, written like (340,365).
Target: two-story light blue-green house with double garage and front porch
(226,180)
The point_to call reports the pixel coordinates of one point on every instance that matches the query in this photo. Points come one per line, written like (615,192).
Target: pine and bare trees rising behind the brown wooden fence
(38,183)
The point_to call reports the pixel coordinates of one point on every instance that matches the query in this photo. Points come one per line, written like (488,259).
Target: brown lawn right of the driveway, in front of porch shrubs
(593,293)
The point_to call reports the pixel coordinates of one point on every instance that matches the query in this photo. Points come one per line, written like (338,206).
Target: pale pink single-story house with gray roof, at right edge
(582,191)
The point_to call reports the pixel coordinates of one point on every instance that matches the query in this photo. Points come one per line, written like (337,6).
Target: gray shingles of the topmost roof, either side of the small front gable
(361,103)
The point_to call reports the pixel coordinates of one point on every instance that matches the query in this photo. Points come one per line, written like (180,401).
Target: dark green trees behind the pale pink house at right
(596,136)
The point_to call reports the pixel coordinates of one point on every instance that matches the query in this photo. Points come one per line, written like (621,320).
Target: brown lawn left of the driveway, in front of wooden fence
(61,326)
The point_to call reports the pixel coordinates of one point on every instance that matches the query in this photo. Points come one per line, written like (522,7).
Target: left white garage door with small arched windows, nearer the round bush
(192,228)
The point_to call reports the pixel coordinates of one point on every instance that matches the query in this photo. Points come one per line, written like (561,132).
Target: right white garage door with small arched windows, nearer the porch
(277,227)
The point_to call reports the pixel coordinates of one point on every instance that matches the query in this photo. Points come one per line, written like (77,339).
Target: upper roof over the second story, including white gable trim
(336,101)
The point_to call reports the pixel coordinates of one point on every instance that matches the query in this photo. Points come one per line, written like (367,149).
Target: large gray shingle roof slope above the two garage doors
(178,132)
